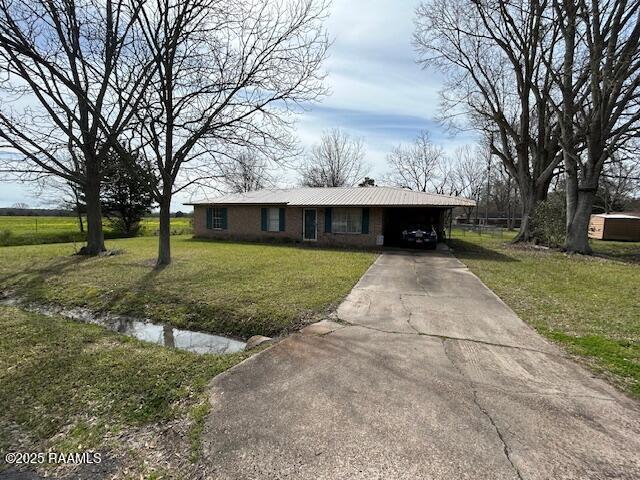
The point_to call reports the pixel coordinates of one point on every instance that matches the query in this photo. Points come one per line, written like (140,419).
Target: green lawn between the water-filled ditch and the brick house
(222,287)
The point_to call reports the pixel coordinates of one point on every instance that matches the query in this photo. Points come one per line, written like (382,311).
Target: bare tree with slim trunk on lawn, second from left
(229,74)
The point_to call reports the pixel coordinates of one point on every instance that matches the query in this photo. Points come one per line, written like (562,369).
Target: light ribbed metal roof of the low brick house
(339,196)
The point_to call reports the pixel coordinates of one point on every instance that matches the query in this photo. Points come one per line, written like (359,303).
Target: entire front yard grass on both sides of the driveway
(70,387)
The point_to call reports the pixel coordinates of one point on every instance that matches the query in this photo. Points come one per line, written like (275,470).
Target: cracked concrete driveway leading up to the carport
(430,376)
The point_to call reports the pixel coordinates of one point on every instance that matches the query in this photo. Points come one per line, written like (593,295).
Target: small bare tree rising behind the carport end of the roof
(416,166)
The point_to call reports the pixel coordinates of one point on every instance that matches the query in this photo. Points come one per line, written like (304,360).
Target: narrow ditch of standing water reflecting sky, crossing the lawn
(165,335)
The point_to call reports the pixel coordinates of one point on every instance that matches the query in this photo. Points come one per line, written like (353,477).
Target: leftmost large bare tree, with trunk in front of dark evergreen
(71,90)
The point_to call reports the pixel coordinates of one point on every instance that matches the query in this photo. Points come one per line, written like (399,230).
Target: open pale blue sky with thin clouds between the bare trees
(378,92)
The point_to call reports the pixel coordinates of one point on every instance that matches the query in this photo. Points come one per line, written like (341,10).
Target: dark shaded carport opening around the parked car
(397,219)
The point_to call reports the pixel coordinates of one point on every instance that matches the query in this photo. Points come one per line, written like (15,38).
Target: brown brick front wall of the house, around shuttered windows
(244,223)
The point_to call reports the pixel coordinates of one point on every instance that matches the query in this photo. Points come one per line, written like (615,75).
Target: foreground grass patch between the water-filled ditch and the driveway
(71,387)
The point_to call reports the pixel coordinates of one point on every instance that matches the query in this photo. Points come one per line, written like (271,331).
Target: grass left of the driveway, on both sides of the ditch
(73,387)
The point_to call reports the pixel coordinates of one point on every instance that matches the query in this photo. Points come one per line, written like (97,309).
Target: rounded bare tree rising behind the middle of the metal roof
(337,161)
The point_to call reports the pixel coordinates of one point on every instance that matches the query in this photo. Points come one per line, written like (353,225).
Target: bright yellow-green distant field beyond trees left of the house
(27,230)
